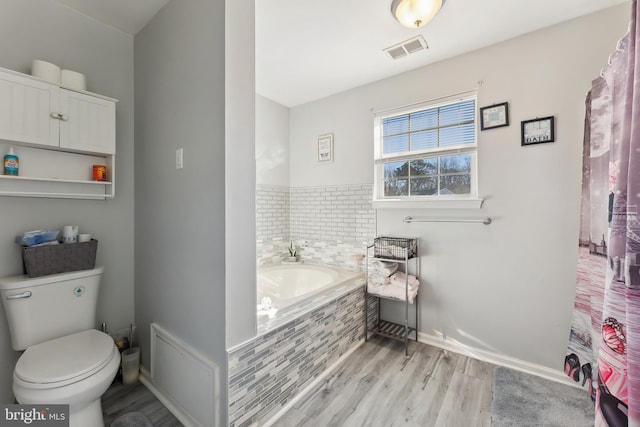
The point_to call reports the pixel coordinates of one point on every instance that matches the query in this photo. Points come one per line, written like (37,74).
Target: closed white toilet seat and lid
(65,360)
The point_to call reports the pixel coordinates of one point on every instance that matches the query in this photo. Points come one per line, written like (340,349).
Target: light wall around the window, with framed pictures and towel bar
(507,288)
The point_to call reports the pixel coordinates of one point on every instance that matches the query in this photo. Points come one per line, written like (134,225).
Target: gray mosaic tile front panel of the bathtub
(268,371)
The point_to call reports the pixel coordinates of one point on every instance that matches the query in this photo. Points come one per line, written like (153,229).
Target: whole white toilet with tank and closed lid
(65,360)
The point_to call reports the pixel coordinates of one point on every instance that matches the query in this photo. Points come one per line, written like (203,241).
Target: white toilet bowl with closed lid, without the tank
(75,370)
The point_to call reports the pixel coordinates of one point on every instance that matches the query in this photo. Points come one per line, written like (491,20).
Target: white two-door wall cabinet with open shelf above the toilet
(58,134)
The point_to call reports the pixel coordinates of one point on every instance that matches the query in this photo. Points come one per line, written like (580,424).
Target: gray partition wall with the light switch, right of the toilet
(180,214)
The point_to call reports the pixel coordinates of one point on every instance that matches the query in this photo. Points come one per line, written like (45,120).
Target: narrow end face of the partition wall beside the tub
(240,172)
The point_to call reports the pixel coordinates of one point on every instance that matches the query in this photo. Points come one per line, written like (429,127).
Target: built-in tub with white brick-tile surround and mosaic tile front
(329,226)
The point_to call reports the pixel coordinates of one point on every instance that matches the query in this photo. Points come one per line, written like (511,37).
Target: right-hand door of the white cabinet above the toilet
(88,123)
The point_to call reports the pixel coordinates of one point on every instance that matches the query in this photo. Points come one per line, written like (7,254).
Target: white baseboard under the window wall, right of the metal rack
(497,359)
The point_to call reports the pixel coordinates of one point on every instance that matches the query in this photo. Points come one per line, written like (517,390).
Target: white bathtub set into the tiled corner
(302,286)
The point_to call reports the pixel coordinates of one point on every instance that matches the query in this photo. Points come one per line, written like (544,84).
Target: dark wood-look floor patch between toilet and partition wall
(120,399)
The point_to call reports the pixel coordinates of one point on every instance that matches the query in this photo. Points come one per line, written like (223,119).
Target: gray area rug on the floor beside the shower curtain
(525,400)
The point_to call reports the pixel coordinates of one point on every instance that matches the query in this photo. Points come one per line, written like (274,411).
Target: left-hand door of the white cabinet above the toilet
(26,106)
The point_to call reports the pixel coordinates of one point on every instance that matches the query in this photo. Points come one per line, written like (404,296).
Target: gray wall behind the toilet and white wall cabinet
(43,29)
